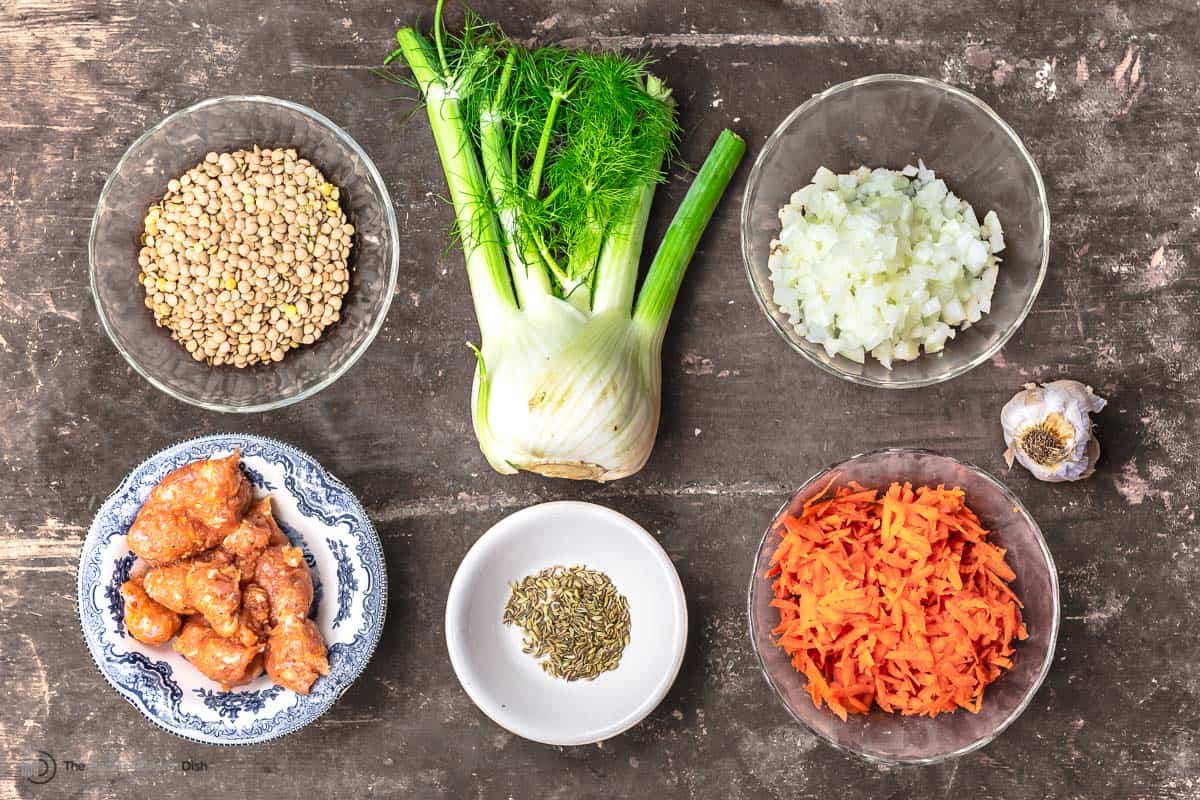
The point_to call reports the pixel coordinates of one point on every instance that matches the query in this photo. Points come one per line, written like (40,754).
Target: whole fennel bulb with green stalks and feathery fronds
(553,159)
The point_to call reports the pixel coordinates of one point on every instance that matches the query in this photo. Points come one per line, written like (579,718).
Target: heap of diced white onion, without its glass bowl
(884,262)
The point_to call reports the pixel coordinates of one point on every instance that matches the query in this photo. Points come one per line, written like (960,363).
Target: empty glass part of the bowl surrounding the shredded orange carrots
(892,738)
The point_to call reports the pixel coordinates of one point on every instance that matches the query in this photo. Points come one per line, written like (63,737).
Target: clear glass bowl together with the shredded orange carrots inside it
(904,606)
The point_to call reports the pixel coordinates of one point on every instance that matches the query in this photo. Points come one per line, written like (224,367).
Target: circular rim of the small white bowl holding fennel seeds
(514,524)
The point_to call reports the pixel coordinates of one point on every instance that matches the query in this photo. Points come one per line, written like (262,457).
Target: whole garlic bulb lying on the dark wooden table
(1049,431)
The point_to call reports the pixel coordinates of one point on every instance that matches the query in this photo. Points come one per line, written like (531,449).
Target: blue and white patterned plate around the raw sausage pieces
(320,515)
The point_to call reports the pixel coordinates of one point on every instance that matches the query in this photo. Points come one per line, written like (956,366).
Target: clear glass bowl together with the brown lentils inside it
(244,254)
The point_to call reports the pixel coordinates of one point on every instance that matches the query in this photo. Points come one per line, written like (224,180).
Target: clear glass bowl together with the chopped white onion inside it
(871,291)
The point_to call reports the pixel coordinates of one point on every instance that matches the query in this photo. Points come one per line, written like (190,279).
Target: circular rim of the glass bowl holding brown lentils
(391,225)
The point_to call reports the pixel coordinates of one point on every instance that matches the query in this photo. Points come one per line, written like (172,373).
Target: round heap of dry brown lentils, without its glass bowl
(247,257)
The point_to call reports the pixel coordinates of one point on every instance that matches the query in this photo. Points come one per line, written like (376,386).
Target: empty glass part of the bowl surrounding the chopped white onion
(891,121)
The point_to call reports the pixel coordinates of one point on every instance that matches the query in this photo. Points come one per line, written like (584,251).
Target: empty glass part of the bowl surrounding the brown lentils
(179,143)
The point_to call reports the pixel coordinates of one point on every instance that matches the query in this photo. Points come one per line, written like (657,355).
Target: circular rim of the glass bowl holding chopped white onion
(767,306)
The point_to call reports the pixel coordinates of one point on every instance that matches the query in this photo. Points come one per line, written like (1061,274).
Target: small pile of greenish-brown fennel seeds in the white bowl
(574,622)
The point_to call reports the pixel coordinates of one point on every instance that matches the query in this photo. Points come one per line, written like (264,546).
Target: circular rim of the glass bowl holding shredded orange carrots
(1047,664)
